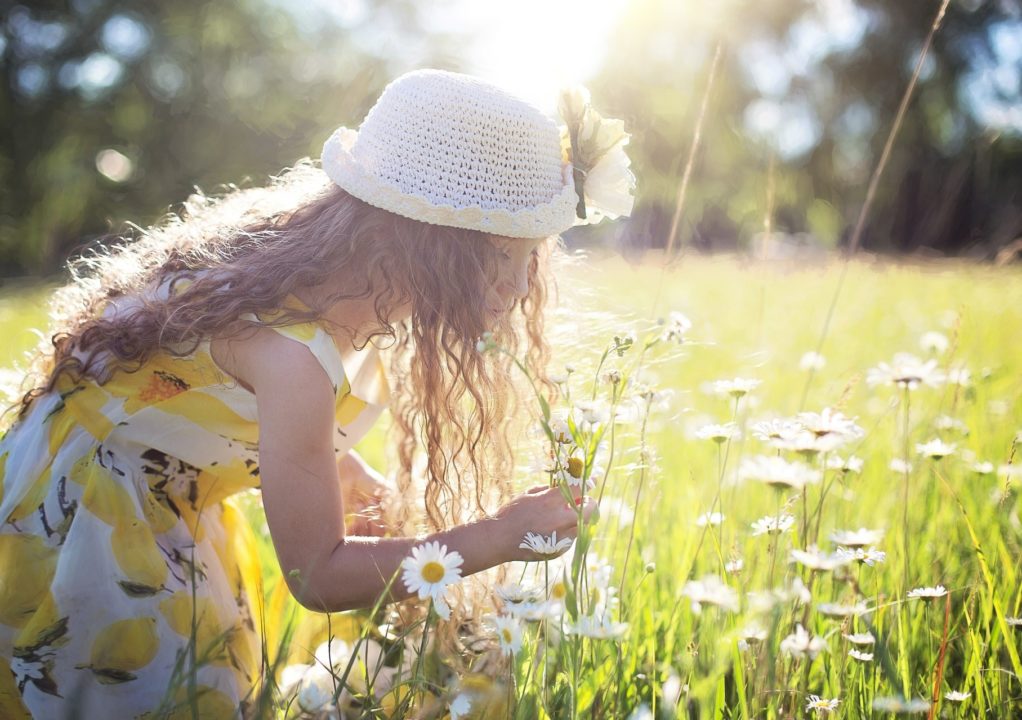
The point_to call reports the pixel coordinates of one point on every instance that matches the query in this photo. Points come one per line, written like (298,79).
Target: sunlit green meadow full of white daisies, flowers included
(782,535)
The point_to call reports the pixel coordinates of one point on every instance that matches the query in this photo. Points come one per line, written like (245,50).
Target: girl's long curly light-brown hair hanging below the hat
(248,250)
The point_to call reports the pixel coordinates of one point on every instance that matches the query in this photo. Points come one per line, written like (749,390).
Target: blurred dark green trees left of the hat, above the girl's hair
(114,110)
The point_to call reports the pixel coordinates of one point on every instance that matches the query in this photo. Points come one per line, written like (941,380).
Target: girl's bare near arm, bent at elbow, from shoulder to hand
(326,569)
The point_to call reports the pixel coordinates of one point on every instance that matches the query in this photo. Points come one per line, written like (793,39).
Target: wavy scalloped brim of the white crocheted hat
(543,221)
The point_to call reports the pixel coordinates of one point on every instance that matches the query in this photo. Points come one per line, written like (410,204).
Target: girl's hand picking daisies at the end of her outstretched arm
(542,510)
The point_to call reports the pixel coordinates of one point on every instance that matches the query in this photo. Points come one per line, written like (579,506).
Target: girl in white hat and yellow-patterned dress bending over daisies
(236,348)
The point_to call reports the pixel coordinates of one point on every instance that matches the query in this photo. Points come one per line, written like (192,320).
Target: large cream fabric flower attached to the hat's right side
(595,148)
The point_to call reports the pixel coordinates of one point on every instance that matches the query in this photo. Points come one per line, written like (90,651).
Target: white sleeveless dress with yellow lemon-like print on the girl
(127,571)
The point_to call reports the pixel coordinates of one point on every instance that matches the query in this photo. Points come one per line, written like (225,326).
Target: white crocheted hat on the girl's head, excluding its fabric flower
(451,150)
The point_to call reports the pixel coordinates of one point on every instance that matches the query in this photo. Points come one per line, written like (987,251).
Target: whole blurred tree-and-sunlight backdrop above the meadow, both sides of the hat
(114,111)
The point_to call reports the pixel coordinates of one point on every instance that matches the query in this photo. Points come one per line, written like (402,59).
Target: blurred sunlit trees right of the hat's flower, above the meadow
(816,86)
